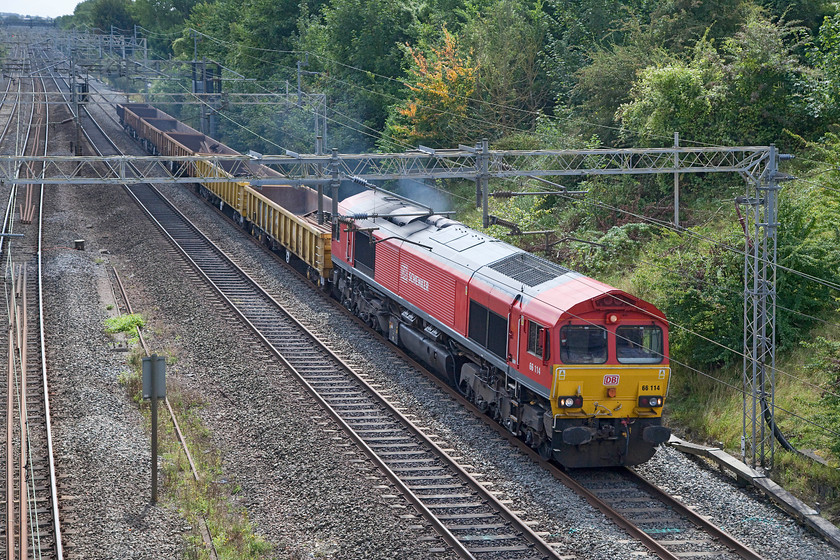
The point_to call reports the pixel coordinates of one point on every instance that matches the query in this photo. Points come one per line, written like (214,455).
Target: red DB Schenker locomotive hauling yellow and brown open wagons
(577,369)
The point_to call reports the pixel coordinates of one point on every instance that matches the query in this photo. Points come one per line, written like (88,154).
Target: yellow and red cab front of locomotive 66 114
(610,380)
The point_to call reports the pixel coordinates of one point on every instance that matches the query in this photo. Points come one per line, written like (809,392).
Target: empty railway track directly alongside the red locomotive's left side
(469,518)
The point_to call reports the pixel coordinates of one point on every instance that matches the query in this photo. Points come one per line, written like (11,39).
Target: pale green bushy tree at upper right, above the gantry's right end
(748,91)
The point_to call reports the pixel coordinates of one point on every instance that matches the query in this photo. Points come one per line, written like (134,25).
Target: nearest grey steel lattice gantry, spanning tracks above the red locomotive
(758,165)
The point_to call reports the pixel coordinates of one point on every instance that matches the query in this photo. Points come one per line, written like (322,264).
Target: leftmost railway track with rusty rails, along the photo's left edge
(32,527)
